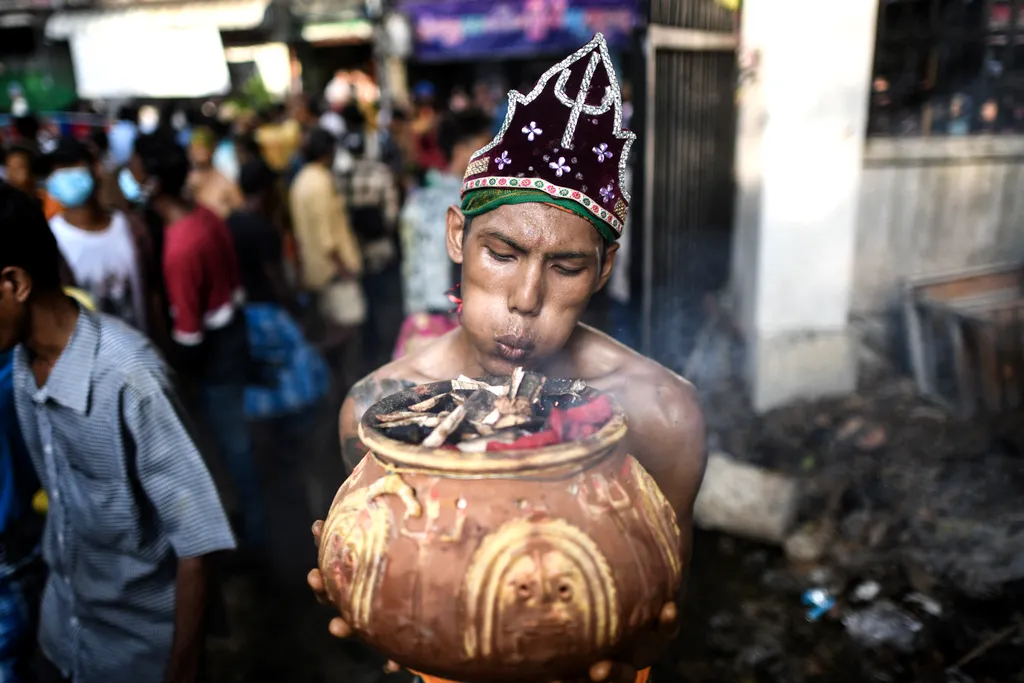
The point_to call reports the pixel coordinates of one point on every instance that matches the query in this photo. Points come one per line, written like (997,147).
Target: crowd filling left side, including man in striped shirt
(249,269)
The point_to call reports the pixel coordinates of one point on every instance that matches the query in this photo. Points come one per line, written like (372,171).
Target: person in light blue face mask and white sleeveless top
(106,251)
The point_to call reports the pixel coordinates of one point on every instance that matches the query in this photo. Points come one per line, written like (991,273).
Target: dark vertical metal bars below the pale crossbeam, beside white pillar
(691,217)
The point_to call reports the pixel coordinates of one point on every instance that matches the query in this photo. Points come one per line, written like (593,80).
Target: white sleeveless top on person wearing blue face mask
(106,265)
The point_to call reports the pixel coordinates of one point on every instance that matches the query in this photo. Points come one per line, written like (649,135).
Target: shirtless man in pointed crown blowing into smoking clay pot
(531,262)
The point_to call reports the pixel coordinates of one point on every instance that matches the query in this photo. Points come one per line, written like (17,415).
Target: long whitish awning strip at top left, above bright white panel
(223,15)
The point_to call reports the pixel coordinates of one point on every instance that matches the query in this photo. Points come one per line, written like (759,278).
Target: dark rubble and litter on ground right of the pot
(906,561)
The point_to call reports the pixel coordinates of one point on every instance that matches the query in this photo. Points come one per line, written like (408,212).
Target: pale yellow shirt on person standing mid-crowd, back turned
(320,222)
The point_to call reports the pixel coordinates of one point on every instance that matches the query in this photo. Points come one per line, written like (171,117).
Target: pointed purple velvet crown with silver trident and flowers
(566,139)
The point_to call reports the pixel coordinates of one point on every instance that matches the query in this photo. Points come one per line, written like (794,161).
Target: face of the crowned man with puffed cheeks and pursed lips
(528,273)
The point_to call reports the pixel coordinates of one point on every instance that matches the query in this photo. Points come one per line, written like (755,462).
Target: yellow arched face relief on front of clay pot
(538,588)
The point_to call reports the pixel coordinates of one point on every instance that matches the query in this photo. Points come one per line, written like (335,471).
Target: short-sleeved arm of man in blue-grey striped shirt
(180,488)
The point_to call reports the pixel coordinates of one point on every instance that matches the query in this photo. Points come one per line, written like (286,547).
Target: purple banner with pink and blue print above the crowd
(453,30)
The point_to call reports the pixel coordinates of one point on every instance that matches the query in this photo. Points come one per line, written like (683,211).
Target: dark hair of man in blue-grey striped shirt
(28,242)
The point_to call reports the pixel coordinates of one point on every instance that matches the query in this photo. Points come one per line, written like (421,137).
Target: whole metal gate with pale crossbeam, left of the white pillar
(688,180)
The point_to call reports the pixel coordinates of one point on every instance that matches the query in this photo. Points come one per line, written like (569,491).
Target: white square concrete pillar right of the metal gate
(803,109)
